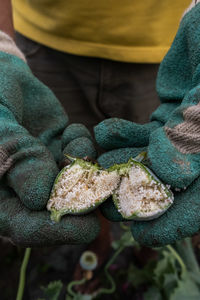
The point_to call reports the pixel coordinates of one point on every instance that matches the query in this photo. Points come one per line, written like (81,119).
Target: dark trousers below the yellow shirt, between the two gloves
(92,89)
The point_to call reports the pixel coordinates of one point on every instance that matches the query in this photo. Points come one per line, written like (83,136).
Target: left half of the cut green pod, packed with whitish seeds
(81,187)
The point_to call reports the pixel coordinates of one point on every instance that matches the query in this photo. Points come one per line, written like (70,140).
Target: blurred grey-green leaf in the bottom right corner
(186,289)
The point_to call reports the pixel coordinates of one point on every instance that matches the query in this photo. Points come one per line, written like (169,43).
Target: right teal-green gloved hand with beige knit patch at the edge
(174,147)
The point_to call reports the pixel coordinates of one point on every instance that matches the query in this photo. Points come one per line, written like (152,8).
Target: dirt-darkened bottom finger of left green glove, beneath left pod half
(28,228)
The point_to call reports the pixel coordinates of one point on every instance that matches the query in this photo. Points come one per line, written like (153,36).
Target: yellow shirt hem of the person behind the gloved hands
(122,30)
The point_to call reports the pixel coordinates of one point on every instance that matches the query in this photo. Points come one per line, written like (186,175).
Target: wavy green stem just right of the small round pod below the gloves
(109,277)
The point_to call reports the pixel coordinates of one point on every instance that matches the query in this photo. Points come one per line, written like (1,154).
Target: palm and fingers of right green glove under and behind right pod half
(182,219)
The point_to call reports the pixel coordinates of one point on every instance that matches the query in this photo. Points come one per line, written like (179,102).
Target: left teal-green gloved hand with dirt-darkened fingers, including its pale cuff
(32,122)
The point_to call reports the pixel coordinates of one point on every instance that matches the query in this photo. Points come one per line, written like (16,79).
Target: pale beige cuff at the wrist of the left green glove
(8,45)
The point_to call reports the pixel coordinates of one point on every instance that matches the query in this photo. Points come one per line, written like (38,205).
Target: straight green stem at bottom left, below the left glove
(22,277)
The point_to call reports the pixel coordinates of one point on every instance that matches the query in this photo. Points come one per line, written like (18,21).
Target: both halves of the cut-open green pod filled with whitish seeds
(137,193)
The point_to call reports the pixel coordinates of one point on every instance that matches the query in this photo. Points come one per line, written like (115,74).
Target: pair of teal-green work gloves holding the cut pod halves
(34,133)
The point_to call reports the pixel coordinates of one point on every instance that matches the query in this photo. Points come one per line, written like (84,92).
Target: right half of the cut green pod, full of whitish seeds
(140,194)
